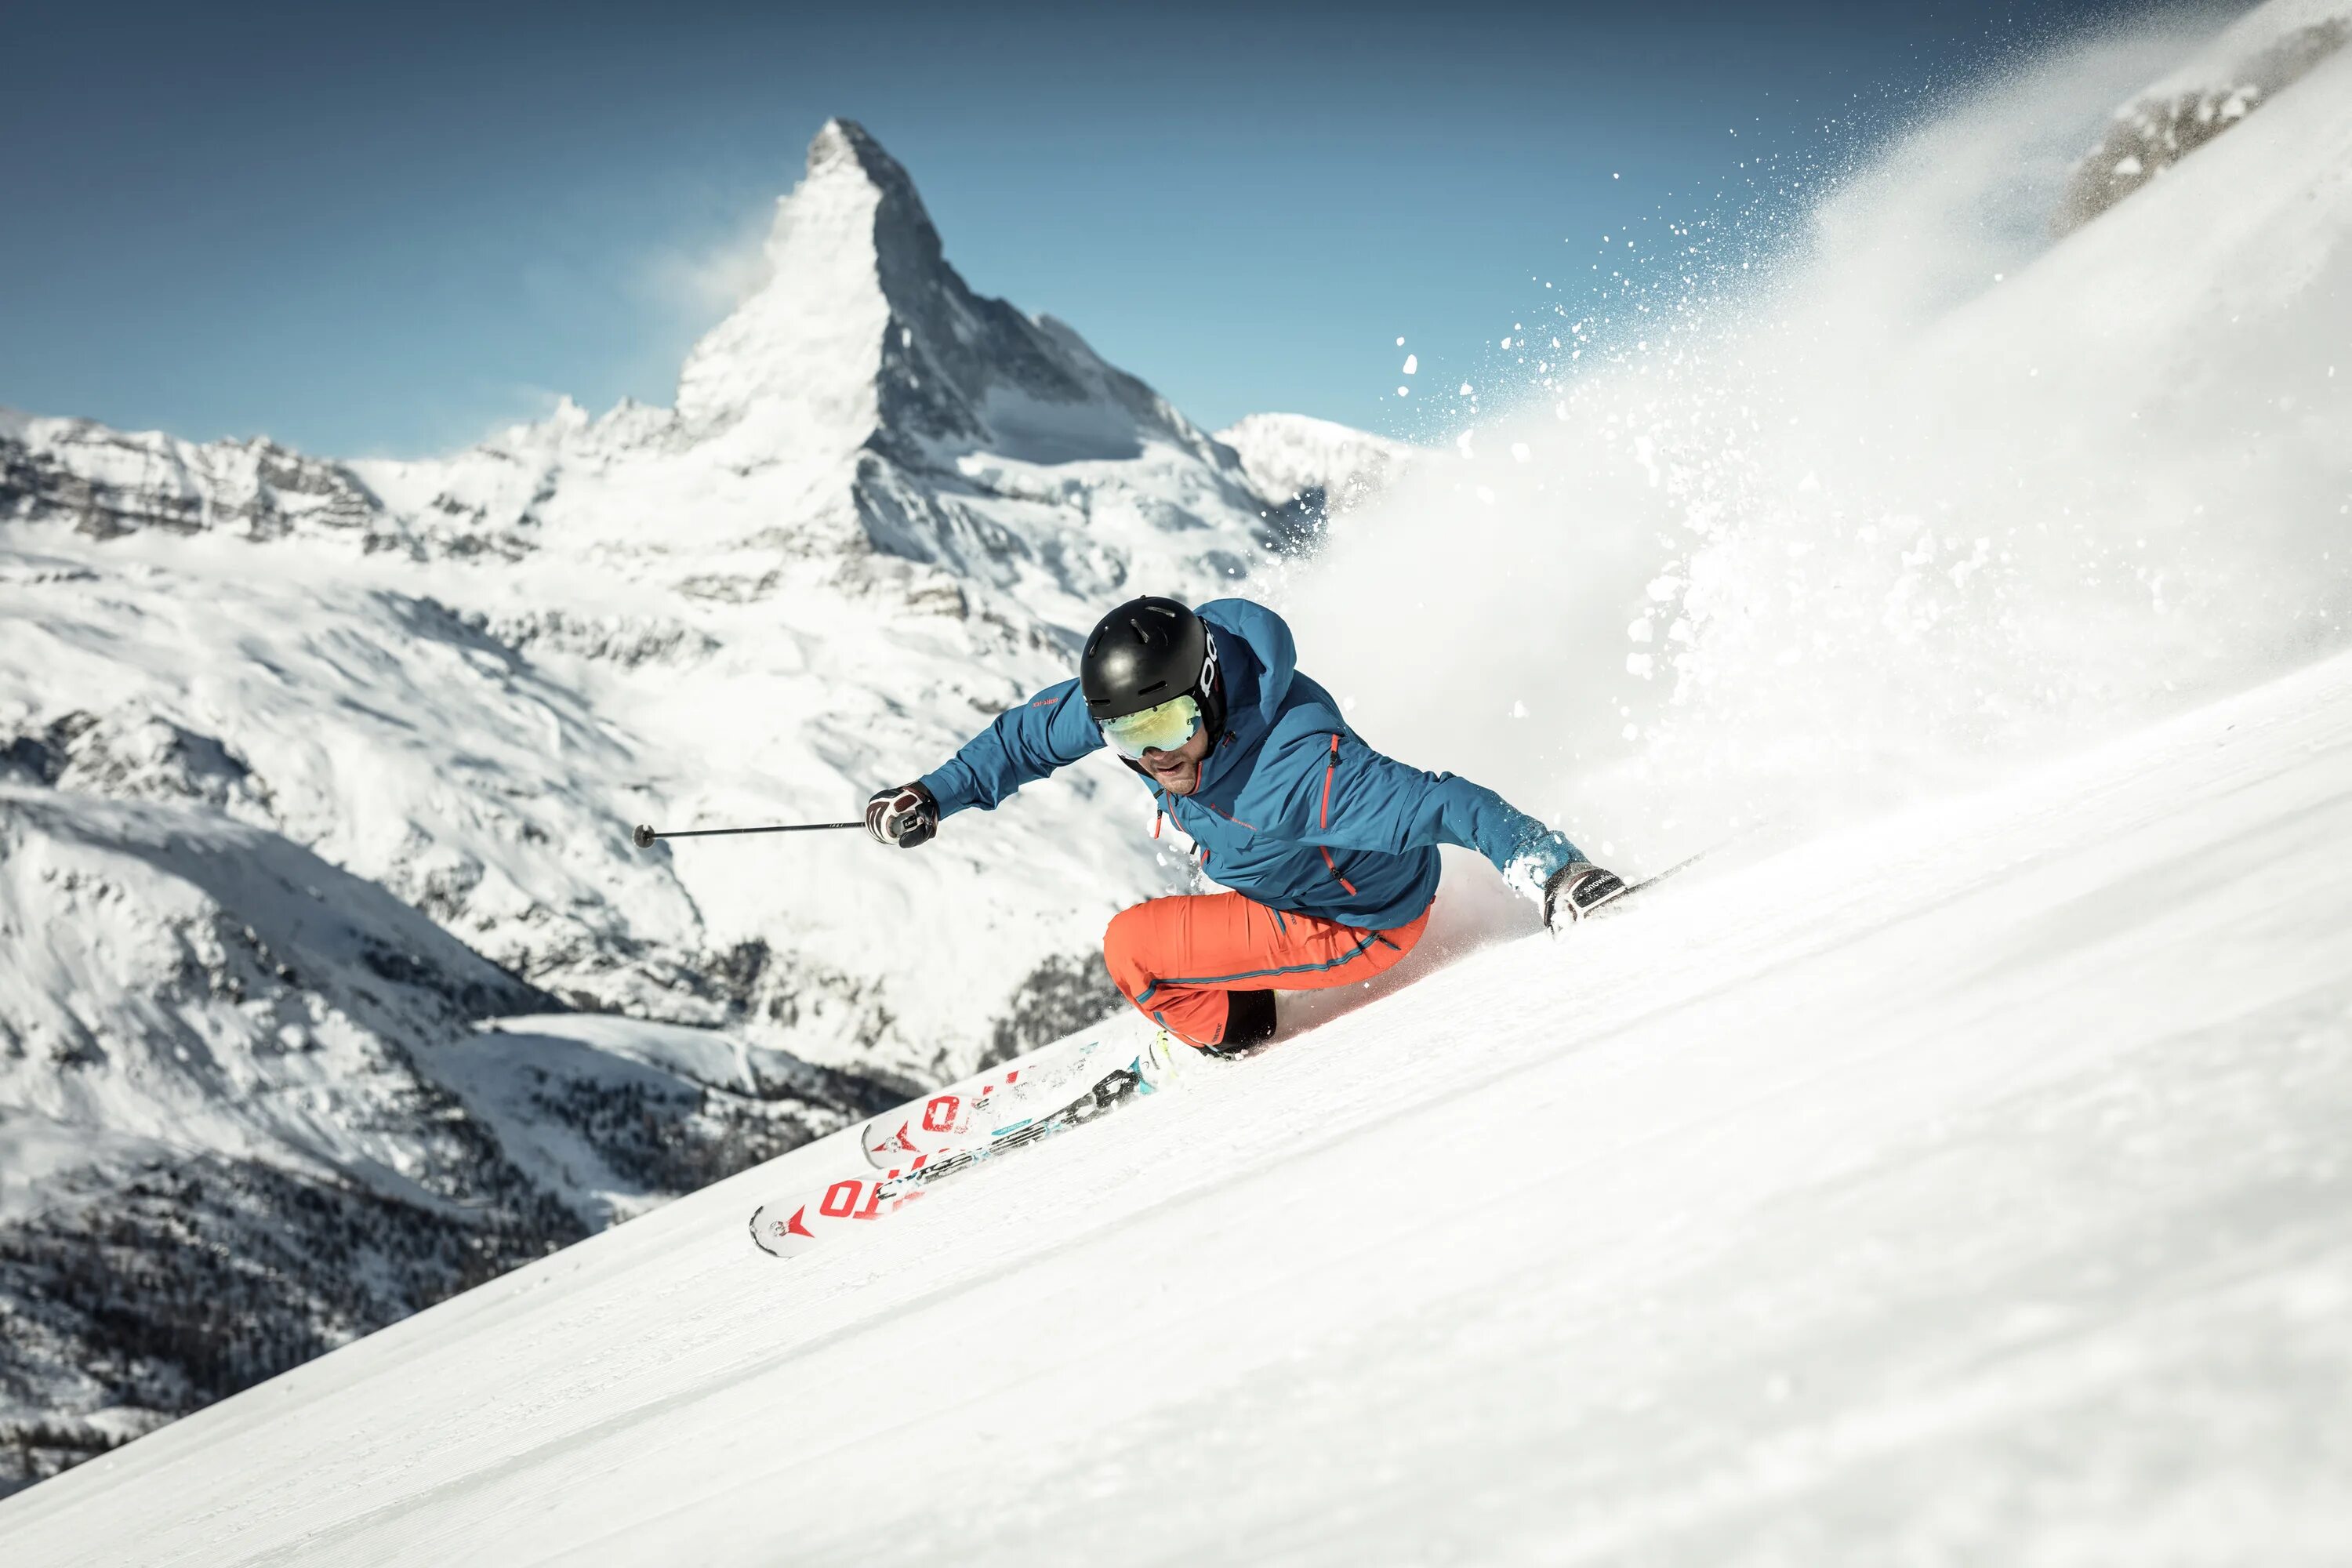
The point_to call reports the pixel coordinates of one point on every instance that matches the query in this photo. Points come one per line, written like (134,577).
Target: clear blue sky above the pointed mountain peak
(373,229)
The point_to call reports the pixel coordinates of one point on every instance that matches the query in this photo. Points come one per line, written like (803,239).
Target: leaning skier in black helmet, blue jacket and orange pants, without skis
(1328,845)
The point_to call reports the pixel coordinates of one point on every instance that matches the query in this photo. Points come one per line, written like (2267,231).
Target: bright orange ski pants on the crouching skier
(1177,958)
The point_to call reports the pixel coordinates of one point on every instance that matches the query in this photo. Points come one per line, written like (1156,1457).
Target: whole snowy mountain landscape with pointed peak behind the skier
(314,770)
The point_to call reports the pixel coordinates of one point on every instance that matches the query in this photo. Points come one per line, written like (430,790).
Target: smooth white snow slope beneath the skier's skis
(1970,1188)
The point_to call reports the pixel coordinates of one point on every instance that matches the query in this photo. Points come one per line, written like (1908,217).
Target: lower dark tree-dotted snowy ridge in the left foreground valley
(248,1113)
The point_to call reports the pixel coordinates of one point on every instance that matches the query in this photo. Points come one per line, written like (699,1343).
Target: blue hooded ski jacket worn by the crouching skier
(1292,808)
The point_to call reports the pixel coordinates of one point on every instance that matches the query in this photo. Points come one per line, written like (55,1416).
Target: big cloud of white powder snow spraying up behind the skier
(1817,518)
